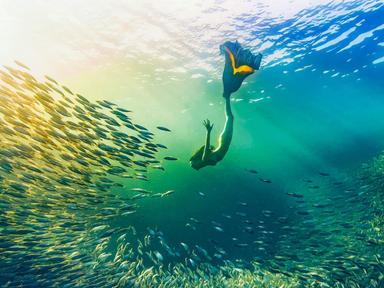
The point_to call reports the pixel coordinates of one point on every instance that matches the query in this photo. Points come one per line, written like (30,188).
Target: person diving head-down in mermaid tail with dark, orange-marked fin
(239,64)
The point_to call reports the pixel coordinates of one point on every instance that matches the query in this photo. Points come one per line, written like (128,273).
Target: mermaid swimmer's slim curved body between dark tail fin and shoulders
(225,136)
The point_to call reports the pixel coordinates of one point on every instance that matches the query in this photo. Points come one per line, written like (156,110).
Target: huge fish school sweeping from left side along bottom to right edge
(62,161)
